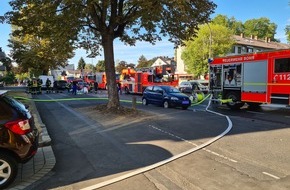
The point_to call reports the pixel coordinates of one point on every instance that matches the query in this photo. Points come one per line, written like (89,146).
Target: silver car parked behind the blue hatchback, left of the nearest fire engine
(189,86)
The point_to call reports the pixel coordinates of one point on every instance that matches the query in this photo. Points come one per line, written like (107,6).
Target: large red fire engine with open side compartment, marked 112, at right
(255,78)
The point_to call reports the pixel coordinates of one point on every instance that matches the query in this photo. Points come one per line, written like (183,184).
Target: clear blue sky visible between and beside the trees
(278,11)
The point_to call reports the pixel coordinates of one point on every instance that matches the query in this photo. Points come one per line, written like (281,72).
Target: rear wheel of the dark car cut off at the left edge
(8,171)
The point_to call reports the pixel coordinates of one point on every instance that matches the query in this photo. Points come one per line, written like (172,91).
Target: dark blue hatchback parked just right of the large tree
(167,96)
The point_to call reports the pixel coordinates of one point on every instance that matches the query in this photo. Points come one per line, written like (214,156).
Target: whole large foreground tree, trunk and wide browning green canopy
(95,24)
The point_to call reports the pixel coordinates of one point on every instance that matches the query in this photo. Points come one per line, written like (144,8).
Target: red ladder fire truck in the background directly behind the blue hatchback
(133,81)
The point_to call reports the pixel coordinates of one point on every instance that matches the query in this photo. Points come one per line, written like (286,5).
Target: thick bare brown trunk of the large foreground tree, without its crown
(113,96)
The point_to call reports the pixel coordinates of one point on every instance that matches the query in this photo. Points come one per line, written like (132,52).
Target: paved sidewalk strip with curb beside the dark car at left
(41,164)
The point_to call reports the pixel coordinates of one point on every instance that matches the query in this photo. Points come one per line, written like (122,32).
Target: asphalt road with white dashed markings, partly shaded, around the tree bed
(253,155)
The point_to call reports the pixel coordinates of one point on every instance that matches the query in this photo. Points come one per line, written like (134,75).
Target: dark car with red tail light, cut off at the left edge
(18,137)
